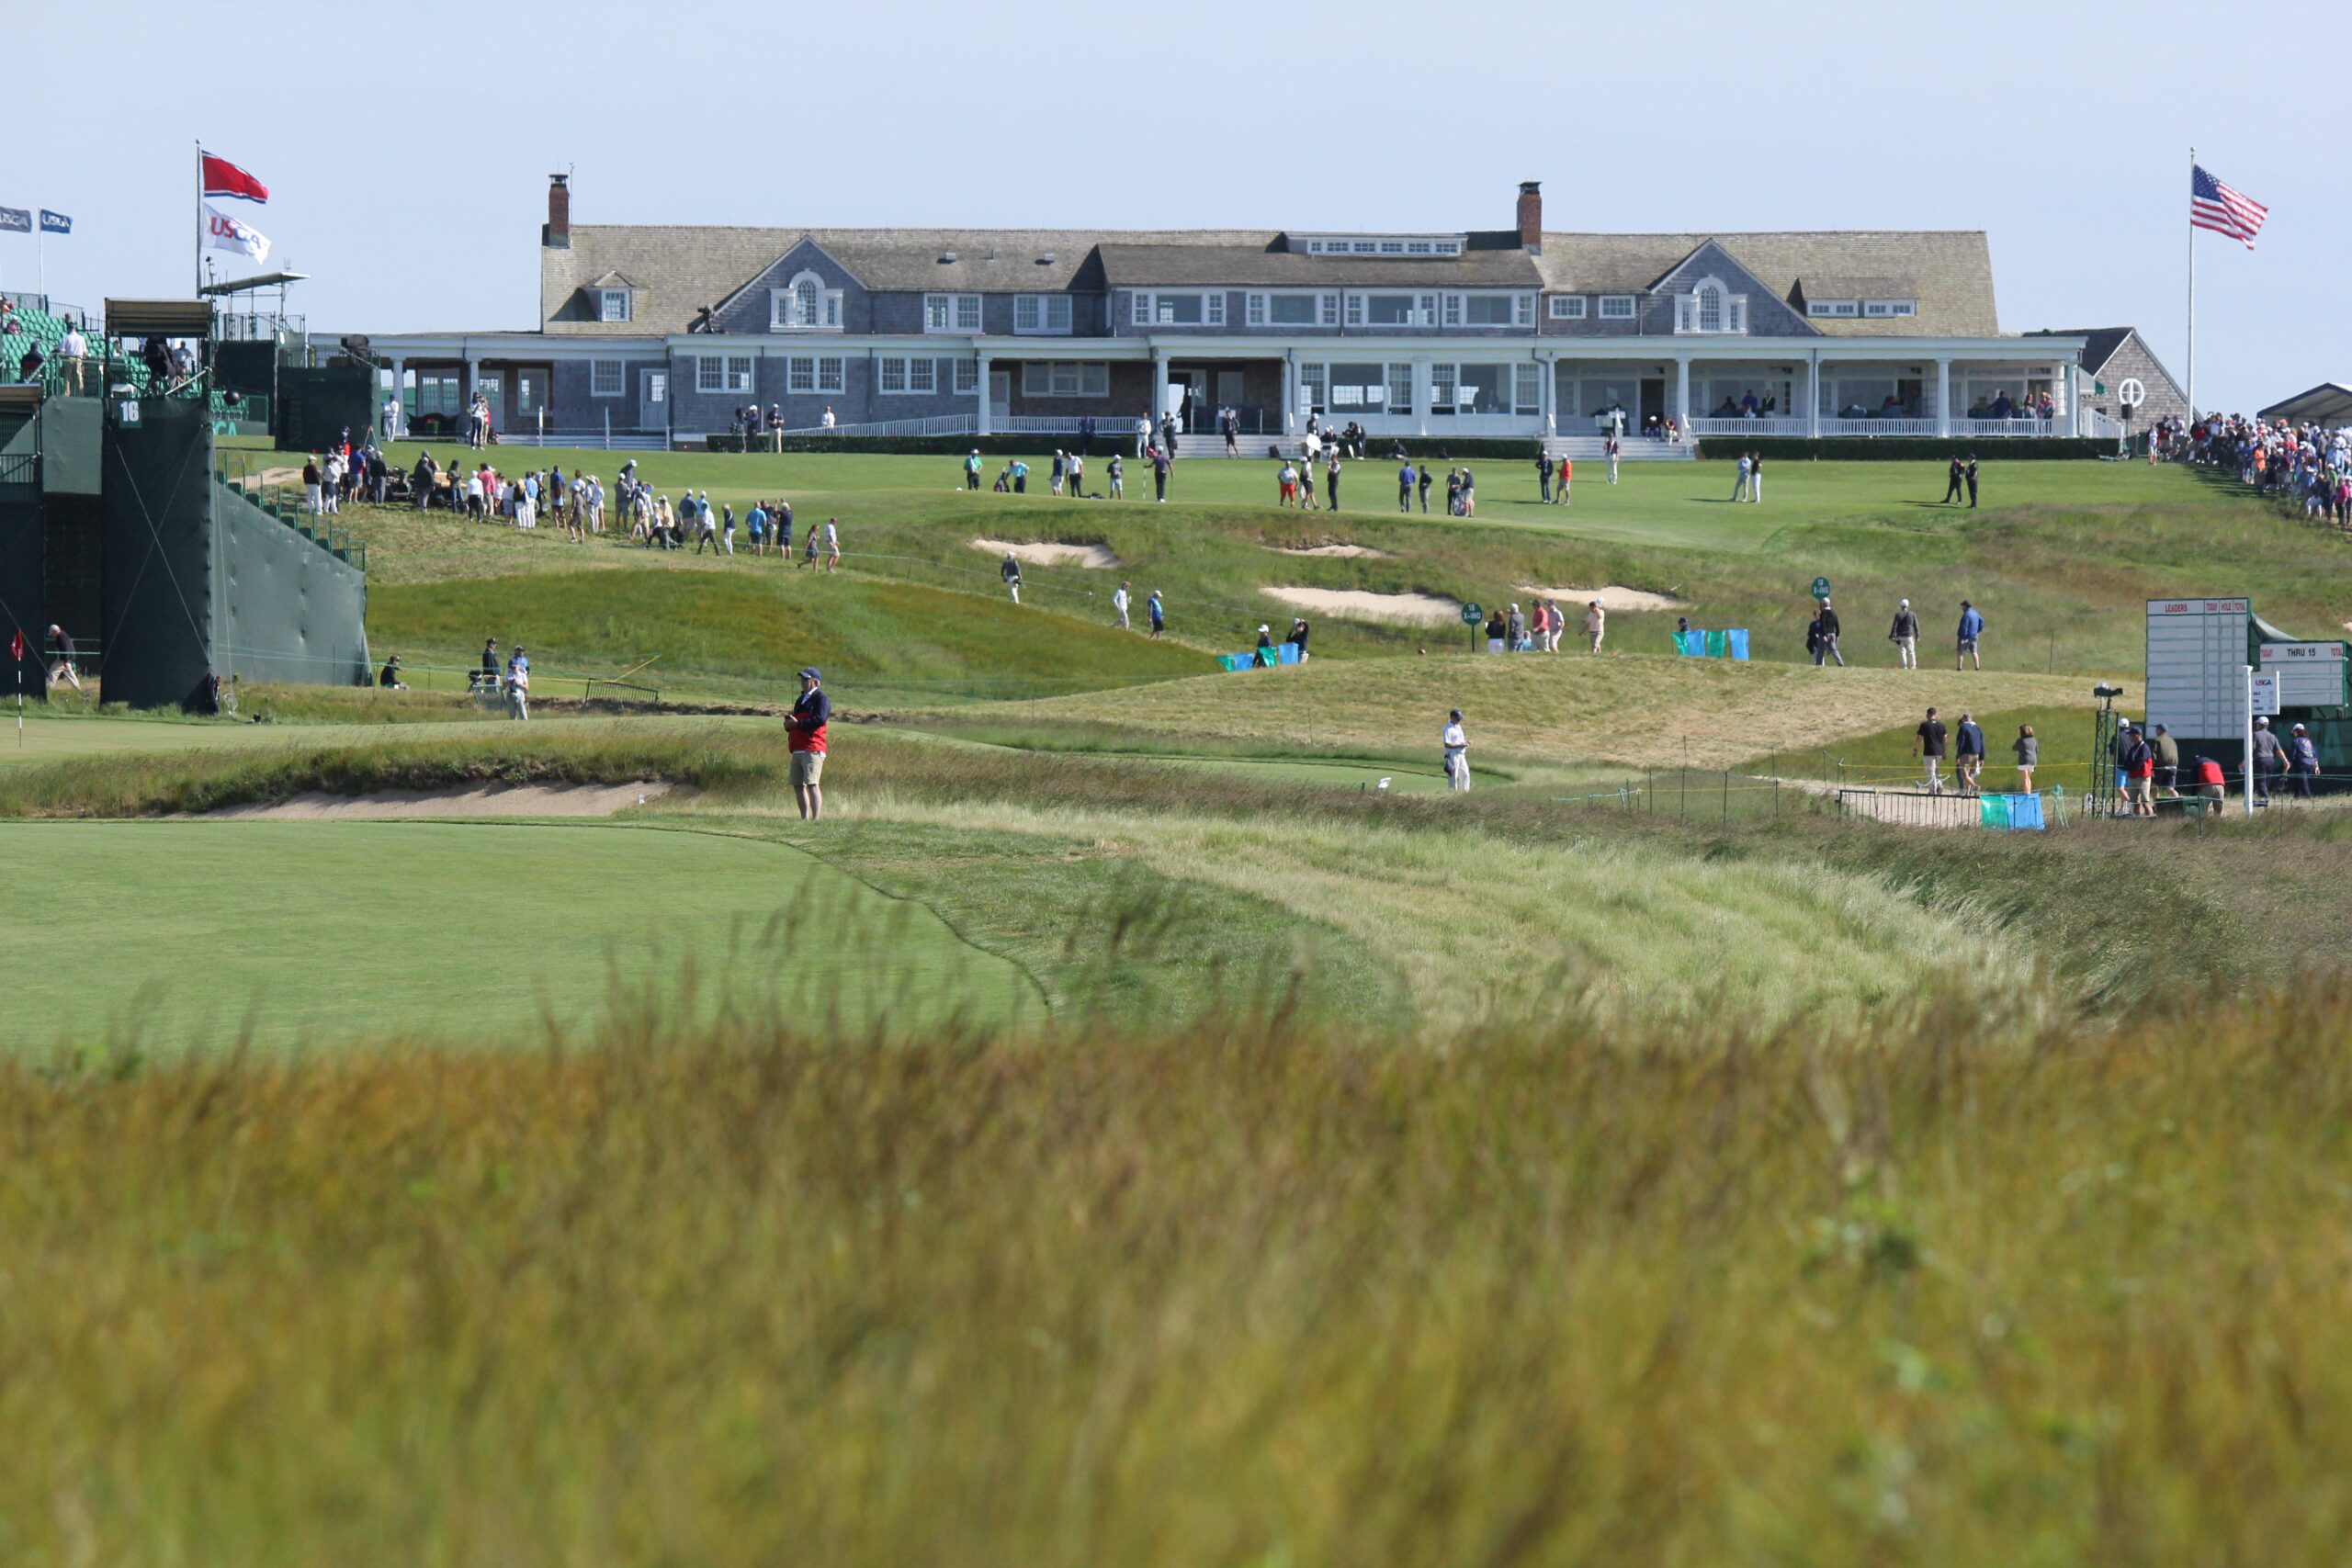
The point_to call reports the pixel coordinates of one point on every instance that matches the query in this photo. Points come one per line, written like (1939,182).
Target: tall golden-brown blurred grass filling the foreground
(1248,1294)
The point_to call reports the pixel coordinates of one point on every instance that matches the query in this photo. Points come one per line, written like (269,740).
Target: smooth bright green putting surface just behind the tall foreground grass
(455,932)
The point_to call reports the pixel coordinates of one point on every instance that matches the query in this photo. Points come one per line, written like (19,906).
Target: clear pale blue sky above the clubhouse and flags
(408,163)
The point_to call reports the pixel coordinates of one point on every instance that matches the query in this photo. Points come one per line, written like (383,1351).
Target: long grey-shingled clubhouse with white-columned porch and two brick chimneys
(664,335)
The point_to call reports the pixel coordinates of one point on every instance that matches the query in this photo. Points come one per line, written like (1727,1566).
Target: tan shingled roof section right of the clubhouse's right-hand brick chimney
(1951,272)
